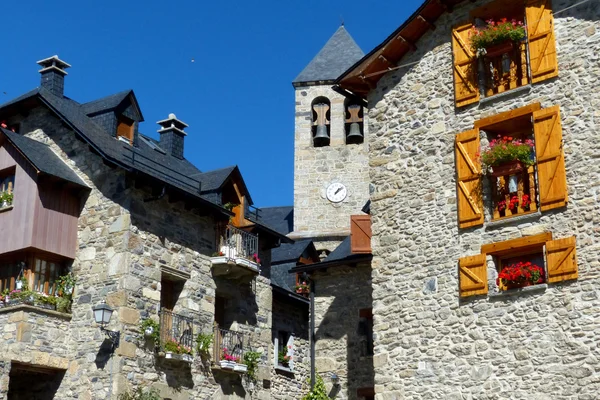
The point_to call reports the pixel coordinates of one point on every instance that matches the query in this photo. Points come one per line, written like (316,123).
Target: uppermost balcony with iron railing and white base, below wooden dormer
(237,255)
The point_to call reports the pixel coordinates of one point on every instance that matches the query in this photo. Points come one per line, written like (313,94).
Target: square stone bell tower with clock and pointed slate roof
(331,178)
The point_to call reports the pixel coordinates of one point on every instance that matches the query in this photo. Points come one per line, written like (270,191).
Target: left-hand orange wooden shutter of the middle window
(468,179)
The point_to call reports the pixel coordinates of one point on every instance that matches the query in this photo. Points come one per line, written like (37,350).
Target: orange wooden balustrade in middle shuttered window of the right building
(502,196)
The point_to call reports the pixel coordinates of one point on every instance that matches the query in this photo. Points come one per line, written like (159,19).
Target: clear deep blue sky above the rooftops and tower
(236,96)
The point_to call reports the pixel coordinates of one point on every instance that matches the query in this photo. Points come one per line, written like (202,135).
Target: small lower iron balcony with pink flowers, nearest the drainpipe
(228,350)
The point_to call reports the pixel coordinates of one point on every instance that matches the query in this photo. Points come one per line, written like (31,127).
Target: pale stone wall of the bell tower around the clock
(315,168)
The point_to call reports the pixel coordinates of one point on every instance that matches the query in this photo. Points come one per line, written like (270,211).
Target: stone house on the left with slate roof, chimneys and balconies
(181,252)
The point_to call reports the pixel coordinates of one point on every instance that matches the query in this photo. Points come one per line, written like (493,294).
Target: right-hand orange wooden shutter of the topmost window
(542,44)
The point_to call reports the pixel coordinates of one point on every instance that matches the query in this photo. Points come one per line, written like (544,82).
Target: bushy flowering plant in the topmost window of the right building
(497,37)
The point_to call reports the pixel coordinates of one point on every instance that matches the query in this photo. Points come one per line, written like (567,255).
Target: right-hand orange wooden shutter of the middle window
(552,177)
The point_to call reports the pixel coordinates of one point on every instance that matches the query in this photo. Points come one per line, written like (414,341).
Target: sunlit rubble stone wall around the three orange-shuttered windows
(428,343)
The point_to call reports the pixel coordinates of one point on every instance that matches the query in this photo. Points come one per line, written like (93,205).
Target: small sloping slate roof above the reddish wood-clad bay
(42,157)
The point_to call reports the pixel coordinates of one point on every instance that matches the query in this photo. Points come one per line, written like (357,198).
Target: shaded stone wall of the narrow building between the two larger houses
(340,342)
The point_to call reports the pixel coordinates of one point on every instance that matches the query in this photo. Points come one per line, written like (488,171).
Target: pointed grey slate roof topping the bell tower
(339,53)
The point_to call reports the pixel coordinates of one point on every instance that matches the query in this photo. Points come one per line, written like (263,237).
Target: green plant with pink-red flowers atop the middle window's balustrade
(507,156)
